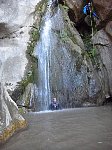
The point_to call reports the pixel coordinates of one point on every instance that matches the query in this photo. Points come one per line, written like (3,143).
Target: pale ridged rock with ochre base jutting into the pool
(10,119)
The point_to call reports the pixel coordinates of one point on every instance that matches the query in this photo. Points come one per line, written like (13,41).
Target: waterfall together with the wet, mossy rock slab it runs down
(61,70)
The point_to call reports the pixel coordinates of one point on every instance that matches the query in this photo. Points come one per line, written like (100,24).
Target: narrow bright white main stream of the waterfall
(43,54)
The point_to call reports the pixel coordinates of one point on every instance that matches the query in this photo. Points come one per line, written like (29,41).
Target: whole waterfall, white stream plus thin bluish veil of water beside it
(57,76)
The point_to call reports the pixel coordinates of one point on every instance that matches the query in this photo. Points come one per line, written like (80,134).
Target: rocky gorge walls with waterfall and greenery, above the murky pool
(49,48)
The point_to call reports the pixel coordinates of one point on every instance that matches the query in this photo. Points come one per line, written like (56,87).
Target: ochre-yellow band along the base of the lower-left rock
(10,130)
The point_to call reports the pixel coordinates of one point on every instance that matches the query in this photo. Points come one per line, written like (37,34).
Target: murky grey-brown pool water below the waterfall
(73,129)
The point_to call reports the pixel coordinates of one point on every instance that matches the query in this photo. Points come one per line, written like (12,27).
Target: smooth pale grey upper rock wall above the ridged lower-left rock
(16,19)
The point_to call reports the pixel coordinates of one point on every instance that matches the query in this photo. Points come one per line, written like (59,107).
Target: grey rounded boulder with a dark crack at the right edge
(103,45)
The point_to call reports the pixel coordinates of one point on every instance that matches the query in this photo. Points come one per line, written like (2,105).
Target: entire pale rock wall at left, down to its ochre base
(16,19)
